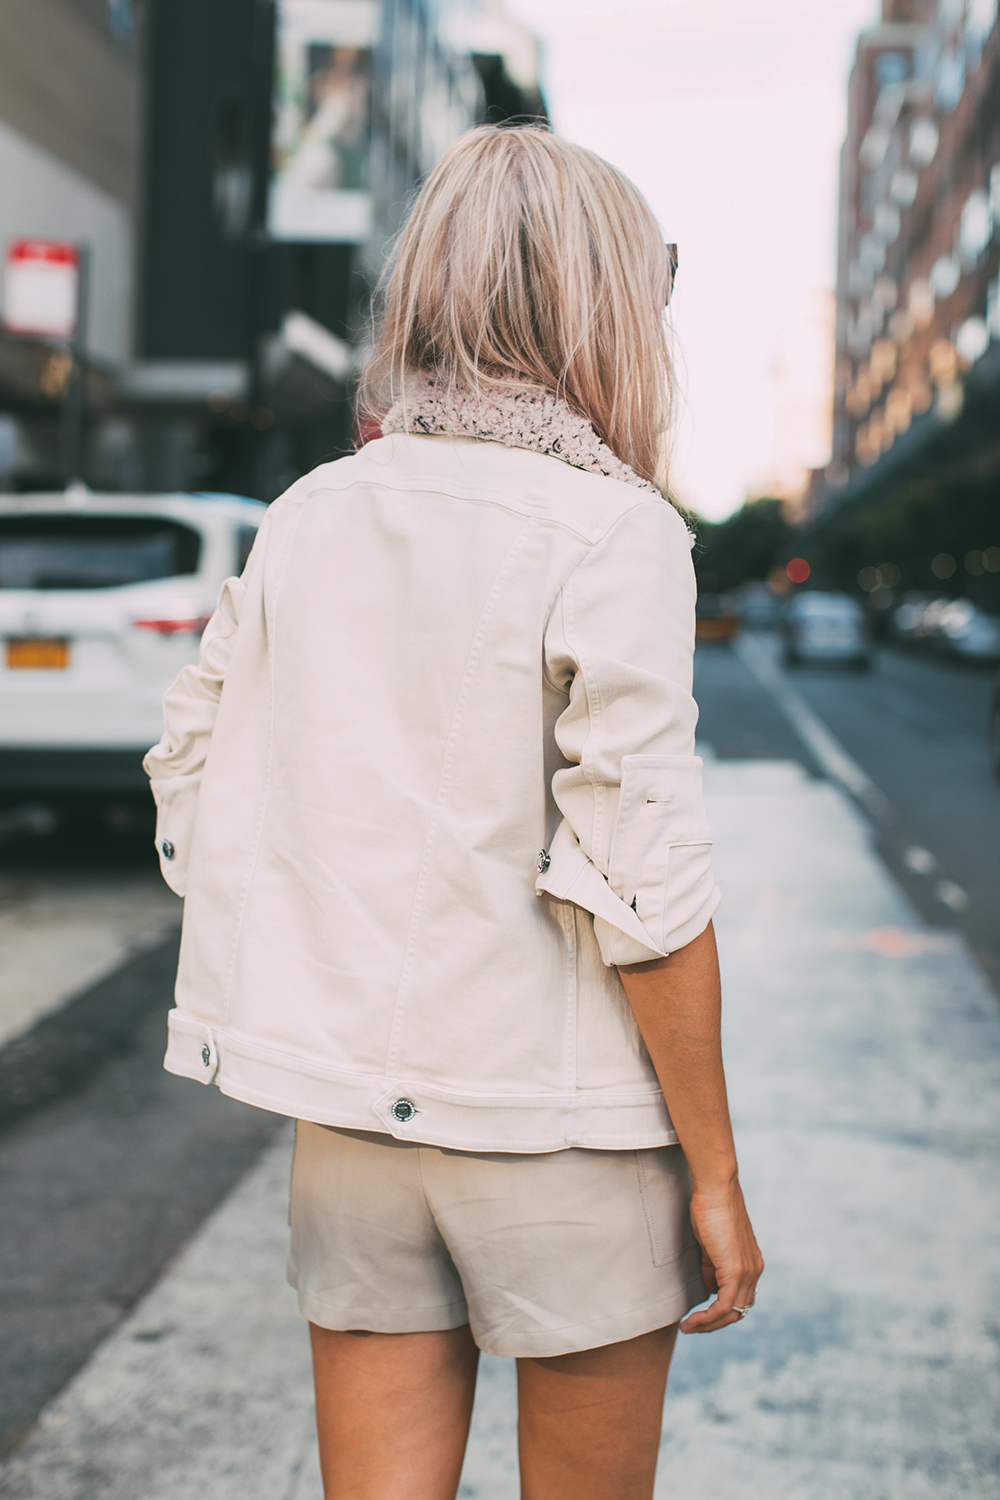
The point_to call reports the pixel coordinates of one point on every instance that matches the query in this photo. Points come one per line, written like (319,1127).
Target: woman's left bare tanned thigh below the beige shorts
(394,1412)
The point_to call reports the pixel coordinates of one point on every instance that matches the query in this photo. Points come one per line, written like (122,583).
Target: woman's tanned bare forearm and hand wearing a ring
(677,1003)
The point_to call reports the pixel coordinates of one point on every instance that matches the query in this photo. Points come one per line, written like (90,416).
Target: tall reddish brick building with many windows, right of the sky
(918,310)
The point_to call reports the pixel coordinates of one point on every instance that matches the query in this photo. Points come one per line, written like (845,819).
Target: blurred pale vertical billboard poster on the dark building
(323,121)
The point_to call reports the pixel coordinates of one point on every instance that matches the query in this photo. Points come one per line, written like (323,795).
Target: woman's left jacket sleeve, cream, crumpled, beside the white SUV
(191,704)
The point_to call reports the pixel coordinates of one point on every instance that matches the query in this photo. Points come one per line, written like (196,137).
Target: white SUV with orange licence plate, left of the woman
(103,602)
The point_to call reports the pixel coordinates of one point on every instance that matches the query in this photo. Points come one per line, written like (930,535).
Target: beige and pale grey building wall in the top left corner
(70,170)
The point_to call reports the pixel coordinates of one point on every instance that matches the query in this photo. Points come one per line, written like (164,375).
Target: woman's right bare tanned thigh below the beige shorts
(590,1423)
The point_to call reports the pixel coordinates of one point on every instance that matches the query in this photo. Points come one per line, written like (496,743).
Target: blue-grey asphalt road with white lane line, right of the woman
(918,730)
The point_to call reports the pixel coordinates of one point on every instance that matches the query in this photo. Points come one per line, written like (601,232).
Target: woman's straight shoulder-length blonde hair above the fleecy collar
(530,260)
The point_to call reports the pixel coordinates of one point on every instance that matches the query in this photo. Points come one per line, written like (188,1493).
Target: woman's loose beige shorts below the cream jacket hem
(542,1255)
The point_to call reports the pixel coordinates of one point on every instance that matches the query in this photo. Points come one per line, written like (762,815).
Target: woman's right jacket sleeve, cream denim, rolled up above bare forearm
(635,842)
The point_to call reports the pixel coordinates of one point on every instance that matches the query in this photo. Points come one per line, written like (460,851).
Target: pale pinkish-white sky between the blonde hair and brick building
(729,116)
